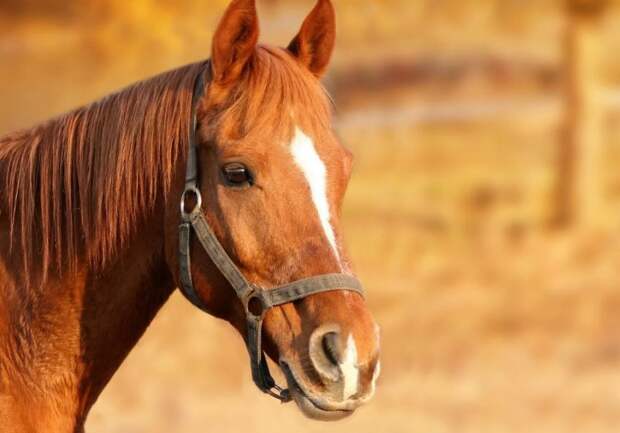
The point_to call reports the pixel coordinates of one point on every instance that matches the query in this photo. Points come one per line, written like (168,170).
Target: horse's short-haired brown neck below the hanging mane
(61,343)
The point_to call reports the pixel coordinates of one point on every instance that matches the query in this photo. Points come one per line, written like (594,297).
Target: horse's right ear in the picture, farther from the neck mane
(314,44)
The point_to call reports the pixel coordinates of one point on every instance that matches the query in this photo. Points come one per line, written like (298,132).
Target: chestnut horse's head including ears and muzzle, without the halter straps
(273,177)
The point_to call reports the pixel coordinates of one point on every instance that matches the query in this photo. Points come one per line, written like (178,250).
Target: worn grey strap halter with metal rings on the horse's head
(256,300)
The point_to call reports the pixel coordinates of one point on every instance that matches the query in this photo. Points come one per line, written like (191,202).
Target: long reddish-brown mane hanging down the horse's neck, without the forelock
(75,187)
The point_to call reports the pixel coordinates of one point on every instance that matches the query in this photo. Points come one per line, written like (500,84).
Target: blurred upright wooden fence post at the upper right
(578,183)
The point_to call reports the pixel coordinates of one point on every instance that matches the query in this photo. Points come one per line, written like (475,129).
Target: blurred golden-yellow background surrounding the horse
(482,216)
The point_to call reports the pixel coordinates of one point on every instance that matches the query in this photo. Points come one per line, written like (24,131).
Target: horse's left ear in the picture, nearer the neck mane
(234,41)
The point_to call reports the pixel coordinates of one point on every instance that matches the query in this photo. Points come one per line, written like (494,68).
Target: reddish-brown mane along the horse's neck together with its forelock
(76,187)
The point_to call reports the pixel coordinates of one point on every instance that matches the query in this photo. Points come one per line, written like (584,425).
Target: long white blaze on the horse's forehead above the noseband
(313,168)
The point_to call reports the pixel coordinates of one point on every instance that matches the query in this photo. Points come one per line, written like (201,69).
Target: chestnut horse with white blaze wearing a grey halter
(93,242)
